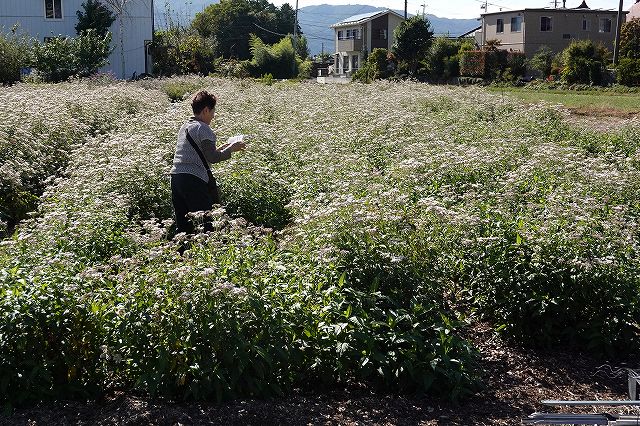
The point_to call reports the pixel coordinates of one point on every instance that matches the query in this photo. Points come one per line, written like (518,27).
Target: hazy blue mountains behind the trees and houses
(314,20)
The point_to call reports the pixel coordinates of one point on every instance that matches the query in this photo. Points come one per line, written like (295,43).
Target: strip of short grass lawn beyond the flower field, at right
(584,102)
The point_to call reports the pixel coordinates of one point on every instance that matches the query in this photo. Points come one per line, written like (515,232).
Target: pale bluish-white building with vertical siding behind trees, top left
(49,18)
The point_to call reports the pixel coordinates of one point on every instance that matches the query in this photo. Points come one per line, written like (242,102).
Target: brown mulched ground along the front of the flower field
(516,380)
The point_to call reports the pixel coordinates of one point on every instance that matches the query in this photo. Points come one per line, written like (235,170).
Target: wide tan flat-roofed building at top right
(527,30)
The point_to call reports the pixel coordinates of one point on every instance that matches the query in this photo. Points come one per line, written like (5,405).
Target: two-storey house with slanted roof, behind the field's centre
(357,36)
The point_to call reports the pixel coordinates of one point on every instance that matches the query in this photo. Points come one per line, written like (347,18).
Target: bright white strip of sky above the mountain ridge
(462,8)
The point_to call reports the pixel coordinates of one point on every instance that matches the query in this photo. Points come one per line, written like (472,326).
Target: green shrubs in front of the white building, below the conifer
(64,57)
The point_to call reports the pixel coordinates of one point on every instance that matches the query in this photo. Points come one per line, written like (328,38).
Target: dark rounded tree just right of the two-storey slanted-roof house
(413,39)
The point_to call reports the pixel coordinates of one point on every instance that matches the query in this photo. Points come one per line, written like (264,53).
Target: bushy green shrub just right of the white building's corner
(177,51)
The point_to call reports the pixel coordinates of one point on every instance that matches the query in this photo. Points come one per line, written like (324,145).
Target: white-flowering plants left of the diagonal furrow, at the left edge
(37,137)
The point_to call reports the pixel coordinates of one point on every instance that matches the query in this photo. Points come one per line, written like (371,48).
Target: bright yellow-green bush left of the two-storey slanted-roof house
(279,59)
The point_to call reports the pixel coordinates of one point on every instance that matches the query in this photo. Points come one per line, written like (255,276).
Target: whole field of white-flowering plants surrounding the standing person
(364,226)
